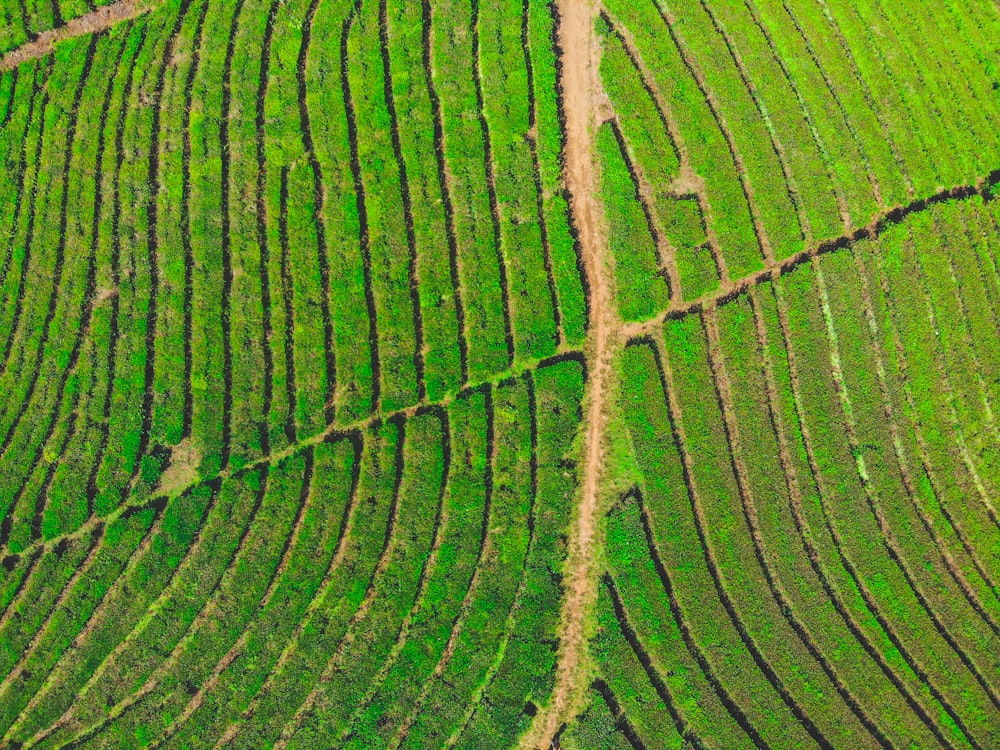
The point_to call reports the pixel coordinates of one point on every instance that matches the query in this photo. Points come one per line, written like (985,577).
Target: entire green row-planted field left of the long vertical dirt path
(292,319)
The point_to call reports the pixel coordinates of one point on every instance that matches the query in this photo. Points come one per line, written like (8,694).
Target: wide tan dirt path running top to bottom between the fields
(581,87)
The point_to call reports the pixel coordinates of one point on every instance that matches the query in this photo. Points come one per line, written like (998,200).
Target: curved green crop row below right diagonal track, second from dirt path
(730,524)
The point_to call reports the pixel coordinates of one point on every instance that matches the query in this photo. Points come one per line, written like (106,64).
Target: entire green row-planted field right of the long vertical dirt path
(807,556)
